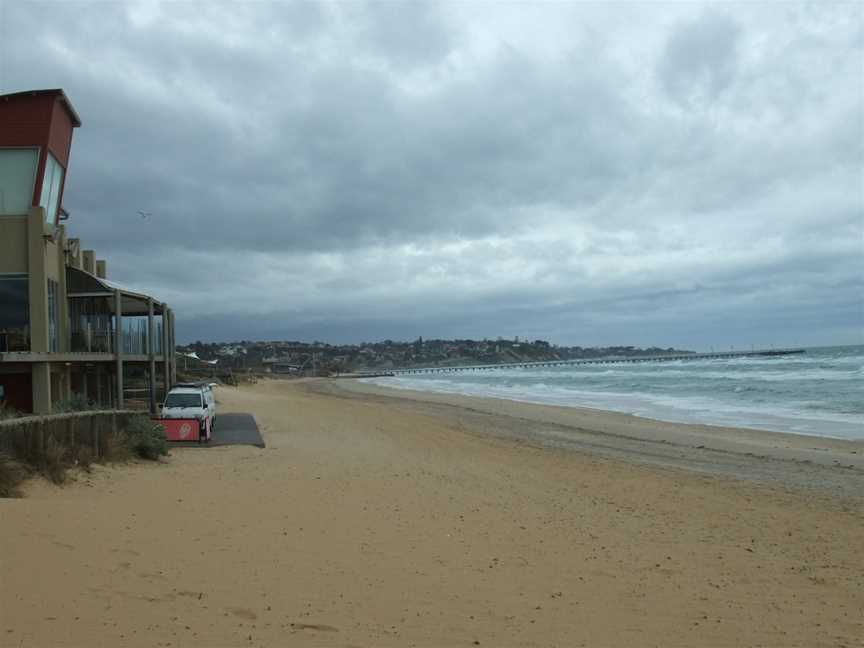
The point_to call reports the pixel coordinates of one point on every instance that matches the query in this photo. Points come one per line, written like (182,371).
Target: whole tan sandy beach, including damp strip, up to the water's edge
(376,520)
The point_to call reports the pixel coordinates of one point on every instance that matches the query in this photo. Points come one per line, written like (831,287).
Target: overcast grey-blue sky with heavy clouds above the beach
(679,174)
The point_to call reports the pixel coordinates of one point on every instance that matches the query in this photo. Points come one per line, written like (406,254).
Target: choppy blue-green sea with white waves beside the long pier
(820,392)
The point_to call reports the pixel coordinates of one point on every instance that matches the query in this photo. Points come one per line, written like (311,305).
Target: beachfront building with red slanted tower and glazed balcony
(64,327)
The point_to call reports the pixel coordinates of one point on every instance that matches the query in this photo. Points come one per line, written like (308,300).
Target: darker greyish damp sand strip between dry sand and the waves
(833,466)
